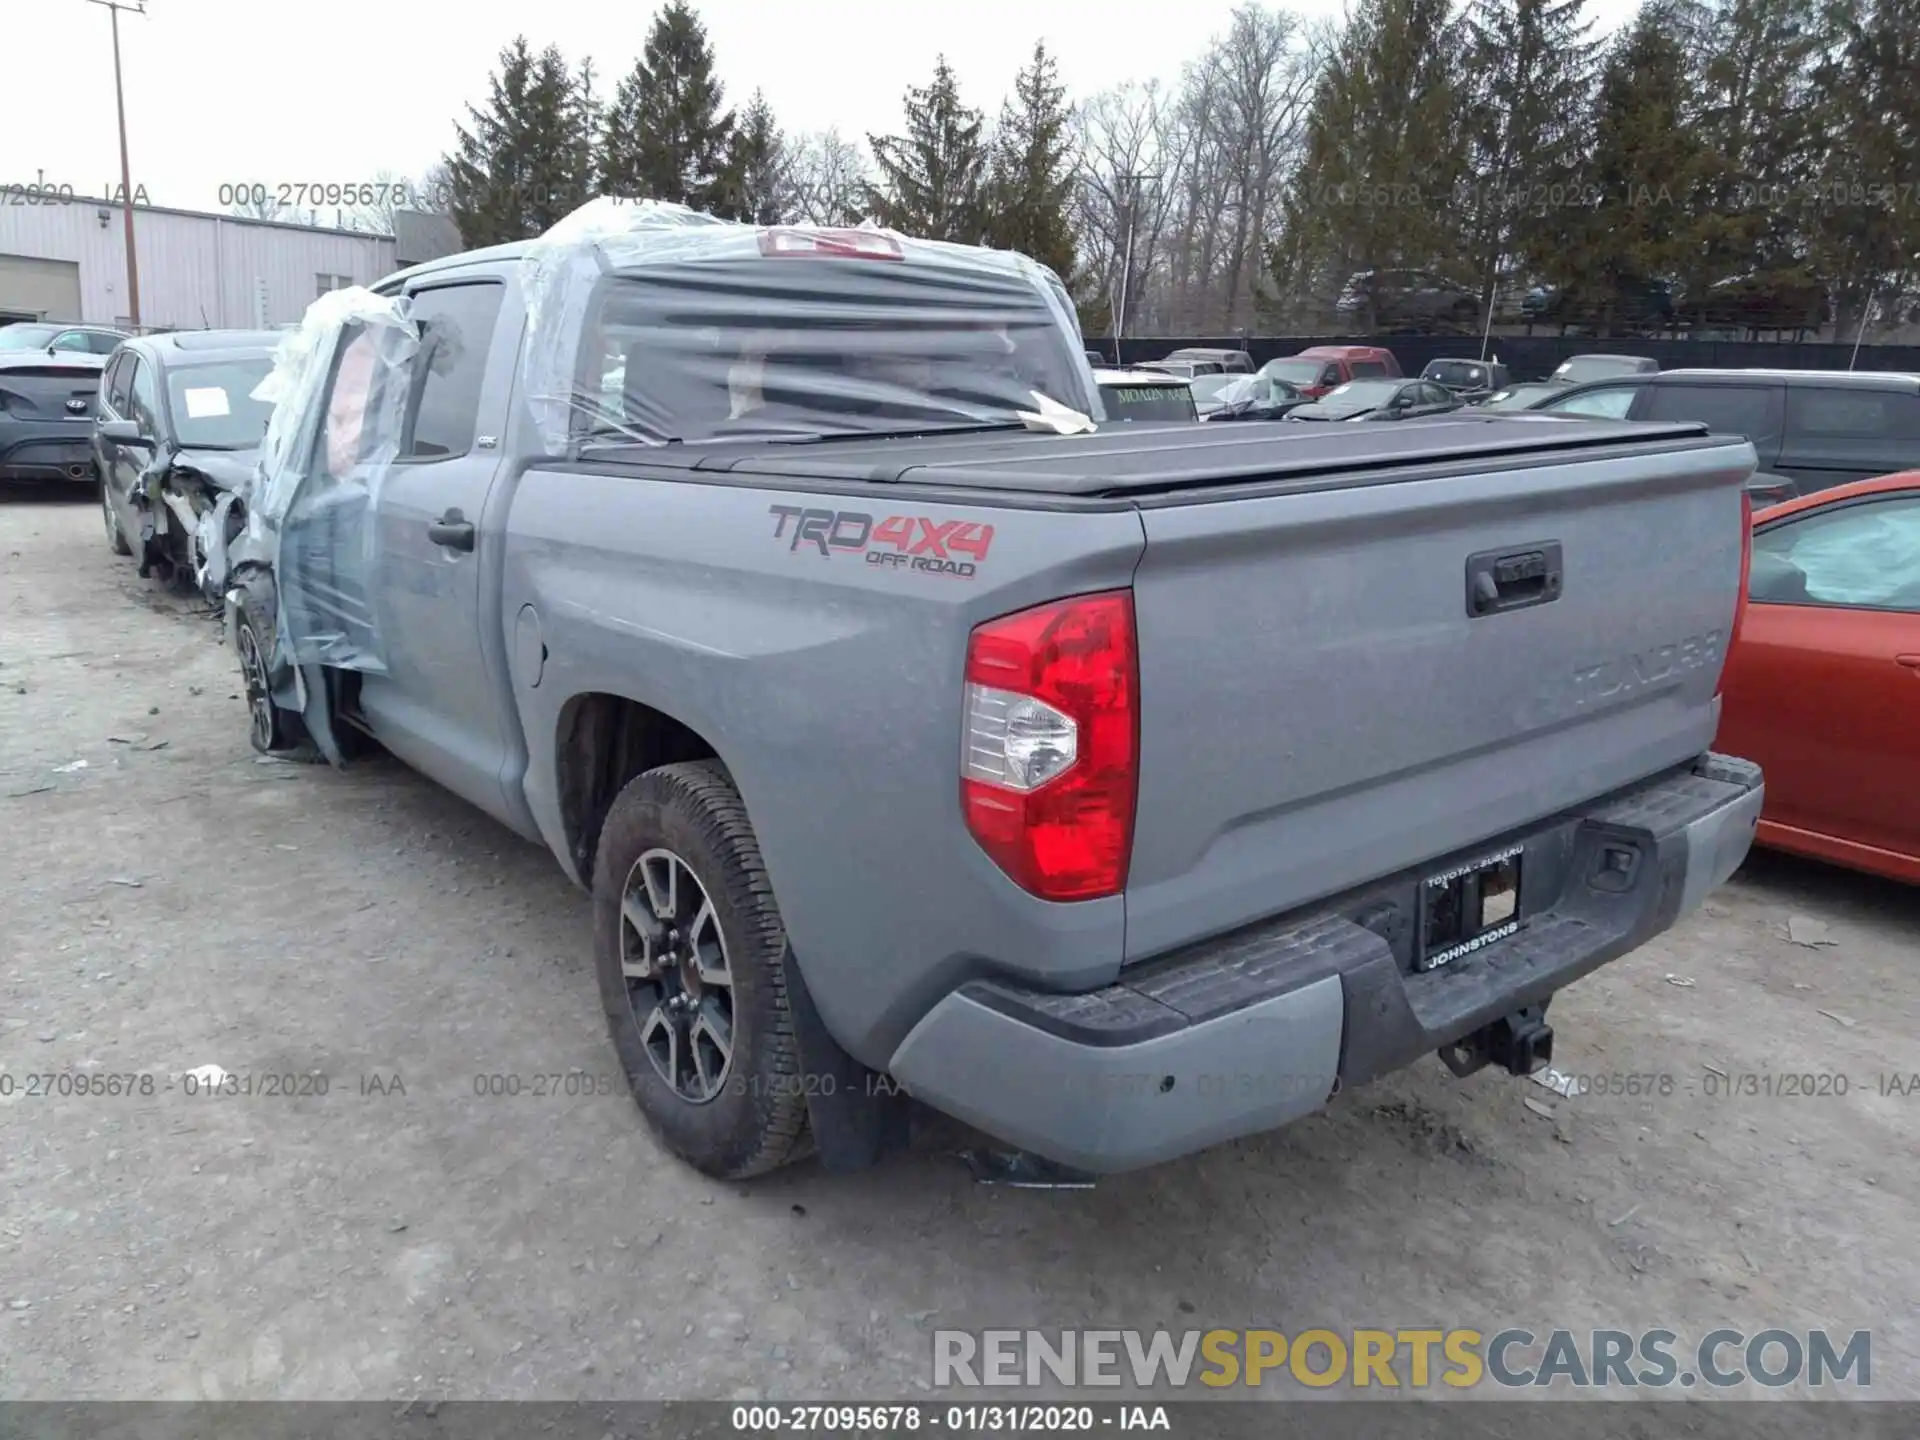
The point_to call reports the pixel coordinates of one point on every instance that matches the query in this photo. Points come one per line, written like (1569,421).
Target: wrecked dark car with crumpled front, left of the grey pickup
(178,431)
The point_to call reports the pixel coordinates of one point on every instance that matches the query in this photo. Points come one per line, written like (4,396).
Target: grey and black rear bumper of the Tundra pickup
(1253,1030)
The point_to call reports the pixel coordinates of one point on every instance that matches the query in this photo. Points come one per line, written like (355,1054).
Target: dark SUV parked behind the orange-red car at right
(1812,429)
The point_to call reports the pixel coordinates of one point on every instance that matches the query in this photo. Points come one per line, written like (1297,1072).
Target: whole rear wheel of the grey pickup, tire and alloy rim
(690,955)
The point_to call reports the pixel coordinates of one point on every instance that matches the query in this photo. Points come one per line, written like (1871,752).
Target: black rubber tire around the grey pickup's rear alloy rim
(756,1115)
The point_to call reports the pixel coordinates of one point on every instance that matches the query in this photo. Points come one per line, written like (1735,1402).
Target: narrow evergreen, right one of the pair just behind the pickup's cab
(1030,185)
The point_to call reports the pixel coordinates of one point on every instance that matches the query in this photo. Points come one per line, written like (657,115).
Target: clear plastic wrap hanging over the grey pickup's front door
(312,506)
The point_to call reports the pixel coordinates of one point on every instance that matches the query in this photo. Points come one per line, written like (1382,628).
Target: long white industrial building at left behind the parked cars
(66,260)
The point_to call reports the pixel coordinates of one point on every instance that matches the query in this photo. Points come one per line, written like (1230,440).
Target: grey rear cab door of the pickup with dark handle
(439,704)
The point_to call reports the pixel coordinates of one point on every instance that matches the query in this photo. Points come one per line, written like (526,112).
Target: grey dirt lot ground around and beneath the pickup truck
(170,901)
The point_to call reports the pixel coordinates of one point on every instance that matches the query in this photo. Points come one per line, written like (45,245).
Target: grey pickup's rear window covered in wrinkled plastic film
(800,347)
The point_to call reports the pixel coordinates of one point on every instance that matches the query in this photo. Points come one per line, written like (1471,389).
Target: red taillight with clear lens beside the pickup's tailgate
(1051,761)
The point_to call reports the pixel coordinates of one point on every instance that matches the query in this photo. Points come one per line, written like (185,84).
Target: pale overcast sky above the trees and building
(335,91)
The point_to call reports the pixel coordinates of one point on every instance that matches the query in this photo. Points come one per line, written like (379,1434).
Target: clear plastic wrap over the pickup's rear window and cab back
(652,324)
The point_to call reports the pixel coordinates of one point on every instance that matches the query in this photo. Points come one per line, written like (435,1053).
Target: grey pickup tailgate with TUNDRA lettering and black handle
(1322,704)
